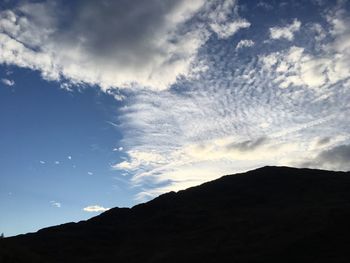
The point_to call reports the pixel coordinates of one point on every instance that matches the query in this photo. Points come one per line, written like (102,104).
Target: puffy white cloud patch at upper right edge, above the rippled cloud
(329,65)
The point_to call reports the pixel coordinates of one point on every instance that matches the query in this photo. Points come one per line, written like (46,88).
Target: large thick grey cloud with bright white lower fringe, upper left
(113,44)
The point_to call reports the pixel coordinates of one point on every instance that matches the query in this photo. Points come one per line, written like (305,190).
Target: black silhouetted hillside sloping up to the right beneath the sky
(272,214)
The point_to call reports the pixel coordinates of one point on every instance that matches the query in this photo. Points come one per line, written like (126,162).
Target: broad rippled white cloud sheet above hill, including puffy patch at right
(237,115)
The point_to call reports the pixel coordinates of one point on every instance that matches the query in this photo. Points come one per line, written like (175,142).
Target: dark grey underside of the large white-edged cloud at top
(122,30)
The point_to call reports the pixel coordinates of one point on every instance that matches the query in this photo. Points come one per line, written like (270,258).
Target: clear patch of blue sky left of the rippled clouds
(55,146)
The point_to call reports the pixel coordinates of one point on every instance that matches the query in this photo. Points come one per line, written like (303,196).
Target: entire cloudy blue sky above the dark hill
(111,103)
